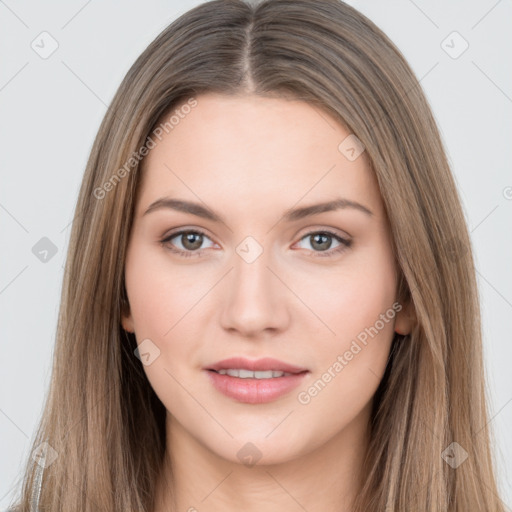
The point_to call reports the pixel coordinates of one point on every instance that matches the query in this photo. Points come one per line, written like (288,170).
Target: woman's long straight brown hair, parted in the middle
(103,419)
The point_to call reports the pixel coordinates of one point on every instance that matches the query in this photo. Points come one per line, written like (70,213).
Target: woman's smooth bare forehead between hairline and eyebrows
(250,150)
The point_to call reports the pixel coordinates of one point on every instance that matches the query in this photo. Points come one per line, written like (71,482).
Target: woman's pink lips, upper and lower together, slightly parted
(255,391)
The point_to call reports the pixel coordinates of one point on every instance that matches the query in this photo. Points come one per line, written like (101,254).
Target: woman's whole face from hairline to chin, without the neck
(227,259)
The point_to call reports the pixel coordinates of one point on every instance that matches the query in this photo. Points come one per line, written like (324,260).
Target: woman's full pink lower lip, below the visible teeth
(255,391)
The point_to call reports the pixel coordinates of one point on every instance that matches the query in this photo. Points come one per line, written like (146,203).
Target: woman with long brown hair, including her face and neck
(269,295)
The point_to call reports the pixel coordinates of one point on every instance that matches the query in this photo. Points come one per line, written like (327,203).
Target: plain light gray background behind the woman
(51,109)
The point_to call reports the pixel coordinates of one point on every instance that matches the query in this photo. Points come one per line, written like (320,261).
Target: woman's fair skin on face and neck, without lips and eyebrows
(250,159)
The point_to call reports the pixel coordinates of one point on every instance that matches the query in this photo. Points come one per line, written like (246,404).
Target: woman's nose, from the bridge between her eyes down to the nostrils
(255,299)
